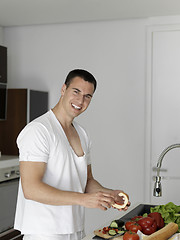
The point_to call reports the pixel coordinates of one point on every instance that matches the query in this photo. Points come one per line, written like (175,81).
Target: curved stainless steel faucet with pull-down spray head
(157,186)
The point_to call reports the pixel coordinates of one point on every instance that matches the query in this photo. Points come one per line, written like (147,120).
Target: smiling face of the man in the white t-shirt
(77,96)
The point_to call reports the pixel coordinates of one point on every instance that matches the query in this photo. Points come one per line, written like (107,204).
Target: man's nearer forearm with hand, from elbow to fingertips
(46,194)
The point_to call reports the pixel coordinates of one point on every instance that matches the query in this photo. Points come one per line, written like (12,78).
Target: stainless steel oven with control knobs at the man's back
(9,181)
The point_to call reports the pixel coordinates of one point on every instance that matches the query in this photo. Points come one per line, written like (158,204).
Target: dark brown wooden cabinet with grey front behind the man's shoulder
(23,105)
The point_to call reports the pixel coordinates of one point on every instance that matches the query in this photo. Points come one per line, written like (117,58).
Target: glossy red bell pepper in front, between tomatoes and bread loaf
(148,225)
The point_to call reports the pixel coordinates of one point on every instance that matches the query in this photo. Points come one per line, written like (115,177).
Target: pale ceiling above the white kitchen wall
(30,12)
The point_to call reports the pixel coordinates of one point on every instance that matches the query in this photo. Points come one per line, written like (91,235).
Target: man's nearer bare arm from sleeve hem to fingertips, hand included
(35,189)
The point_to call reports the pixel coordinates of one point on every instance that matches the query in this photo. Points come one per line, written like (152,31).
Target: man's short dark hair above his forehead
(85,75)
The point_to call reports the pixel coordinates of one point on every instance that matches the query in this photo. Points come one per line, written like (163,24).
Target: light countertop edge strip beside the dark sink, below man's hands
(119,215)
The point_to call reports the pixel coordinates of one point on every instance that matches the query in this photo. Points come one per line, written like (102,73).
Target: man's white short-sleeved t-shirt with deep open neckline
(44,140)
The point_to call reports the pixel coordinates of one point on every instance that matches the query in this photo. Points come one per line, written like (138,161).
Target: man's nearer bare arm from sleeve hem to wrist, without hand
(35,189)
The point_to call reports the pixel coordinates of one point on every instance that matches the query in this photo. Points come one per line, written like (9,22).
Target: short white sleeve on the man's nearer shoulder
(33,143)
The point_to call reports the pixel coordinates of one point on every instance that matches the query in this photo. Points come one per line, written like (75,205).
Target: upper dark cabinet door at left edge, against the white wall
(3,64)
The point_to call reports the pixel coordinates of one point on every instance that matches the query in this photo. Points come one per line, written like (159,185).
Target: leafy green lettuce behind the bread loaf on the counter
(169,212)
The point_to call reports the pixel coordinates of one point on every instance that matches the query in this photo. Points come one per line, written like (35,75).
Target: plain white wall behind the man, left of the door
(39,57)
